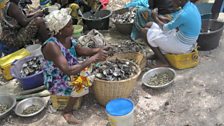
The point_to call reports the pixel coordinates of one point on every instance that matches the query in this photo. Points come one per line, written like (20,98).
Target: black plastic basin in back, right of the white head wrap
(100,21)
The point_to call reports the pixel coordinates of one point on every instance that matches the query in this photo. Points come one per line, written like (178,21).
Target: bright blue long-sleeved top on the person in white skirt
(188,21)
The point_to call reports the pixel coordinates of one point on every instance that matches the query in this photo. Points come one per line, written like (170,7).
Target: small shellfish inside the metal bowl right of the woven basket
(160,79)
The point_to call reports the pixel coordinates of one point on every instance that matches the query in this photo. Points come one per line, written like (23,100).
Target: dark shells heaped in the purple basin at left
(32,66)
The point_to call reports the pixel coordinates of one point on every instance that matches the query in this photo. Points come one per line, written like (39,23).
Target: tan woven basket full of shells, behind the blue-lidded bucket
(105,91)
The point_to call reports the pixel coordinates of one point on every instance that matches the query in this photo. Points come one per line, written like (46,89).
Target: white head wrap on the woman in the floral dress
(58,19)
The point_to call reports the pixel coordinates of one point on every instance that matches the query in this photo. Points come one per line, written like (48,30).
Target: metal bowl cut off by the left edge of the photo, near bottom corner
(8,100)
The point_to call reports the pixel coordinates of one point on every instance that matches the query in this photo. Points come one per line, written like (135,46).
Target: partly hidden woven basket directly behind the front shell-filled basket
(136,57)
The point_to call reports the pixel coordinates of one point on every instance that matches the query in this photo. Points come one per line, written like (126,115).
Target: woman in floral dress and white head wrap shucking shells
(60,53)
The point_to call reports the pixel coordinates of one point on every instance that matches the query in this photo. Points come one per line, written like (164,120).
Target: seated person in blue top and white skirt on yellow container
(177,36)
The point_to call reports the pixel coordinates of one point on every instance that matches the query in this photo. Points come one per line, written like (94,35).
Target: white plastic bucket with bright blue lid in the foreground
(120,112)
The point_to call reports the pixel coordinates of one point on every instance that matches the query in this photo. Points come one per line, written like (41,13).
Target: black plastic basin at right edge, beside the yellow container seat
(210,34)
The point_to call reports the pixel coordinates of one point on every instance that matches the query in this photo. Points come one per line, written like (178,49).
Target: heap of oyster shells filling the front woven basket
(115,70)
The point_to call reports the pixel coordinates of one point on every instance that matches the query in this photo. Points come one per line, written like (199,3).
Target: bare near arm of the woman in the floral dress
(52,52)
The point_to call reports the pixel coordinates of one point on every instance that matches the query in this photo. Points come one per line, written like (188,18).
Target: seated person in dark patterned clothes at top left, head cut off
(18,29)
